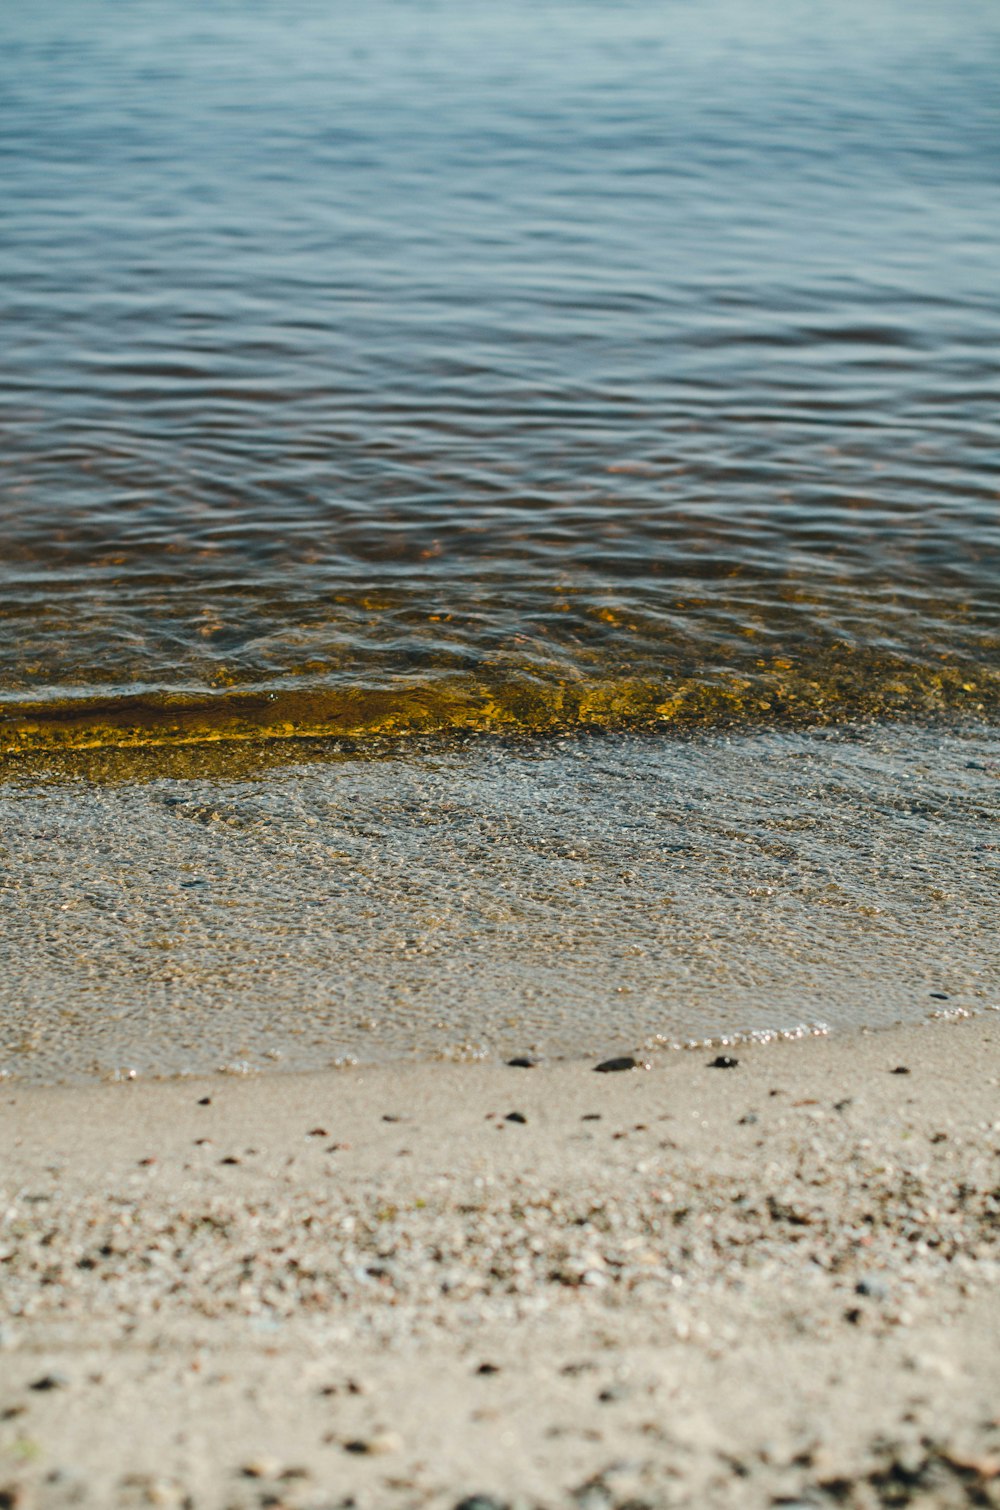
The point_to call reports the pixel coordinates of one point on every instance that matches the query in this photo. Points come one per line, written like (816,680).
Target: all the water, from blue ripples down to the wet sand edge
(499,534)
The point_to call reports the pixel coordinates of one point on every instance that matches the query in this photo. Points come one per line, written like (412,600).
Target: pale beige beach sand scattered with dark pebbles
(768,1284)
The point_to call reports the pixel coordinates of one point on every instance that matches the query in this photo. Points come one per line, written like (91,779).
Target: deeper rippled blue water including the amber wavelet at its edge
(517,366)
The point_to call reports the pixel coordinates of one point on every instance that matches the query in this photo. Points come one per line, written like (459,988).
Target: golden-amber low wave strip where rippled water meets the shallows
(859,686)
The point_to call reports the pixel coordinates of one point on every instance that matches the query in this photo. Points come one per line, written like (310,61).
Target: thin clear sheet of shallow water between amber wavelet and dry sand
(564,898)
